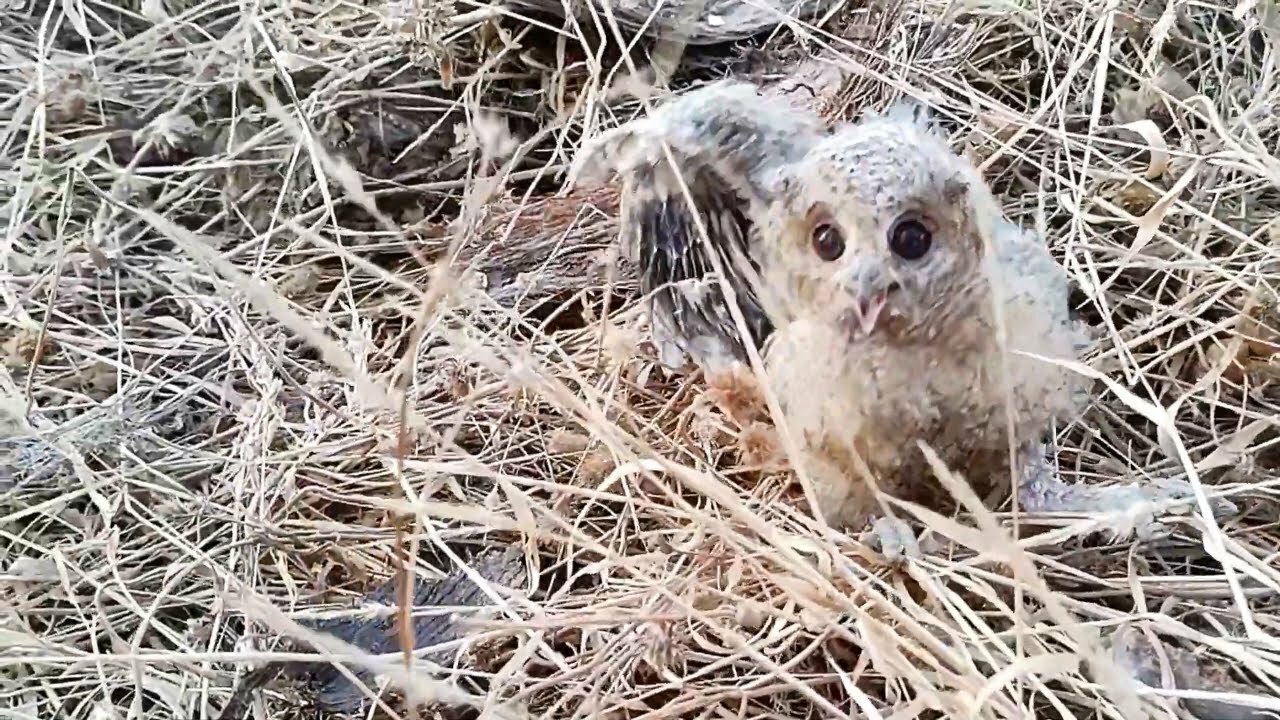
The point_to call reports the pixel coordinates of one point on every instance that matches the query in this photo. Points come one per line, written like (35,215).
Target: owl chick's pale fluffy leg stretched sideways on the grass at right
(1132,507)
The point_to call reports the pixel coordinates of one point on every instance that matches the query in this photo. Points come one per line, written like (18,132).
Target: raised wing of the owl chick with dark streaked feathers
(732,151)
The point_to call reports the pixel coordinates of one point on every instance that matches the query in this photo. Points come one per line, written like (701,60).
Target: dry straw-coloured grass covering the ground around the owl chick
(240,386)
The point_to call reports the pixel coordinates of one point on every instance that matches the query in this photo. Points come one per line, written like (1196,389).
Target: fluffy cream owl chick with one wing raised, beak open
(872,267)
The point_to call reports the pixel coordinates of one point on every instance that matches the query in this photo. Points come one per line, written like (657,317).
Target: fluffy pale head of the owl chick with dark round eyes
(881,229)
